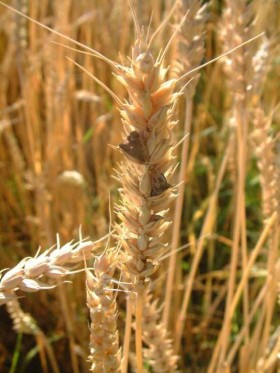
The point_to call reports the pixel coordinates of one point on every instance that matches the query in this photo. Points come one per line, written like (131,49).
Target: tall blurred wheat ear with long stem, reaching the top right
(237,26)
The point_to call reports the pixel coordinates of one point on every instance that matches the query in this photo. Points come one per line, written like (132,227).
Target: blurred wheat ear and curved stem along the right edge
(266,152)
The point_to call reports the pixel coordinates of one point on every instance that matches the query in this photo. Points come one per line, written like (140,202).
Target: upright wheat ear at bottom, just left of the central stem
(105,354)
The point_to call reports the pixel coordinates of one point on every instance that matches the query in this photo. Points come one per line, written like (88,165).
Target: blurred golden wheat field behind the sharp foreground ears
(56,167)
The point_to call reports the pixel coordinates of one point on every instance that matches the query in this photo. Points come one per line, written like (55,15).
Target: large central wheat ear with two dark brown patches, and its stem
(145,173)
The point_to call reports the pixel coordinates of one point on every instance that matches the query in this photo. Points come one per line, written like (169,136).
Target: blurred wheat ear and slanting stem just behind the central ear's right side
(189,53)
